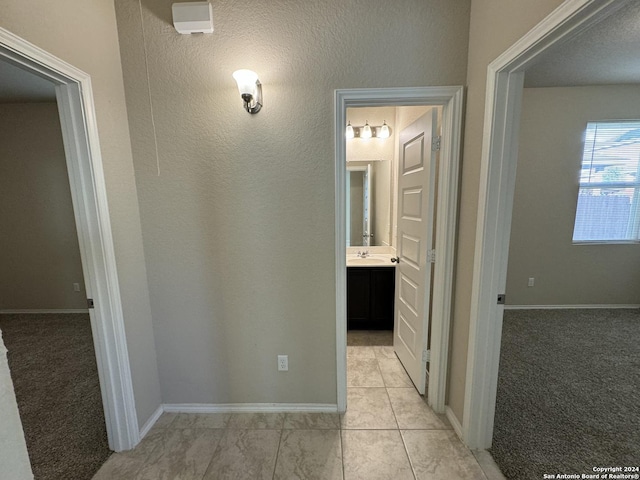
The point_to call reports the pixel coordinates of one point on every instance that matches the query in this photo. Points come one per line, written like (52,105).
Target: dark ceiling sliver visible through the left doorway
(16,86)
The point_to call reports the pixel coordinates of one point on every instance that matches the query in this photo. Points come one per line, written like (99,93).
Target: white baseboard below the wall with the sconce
(250,407)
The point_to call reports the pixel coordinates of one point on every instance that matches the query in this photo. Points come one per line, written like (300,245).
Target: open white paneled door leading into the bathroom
(416,202)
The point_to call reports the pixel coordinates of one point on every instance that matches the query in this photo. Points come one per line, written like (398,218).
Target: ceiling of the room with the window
(606,54)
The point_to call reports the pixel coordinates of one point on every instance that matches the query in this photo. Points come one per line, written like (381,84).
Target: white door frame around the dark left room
(88,193)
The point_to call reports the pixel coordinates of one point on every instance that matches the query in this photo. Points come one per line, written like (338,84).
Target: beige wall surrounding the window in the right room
(549,159)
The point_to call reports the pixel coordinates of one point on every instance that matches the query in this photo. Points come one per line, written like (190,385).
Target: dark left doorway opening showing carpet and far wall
(43,311)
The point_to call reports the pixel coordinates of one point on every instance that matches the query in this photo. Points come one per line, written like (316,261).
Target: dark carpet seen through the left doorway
(53,368)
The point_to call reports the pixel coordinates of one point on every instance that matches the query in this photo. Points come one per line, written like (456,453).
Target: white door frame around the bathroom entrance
(451,99)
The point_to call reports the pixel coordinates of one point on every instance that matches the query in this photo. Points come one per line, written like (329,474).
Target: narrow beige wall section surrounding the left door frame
(84,34)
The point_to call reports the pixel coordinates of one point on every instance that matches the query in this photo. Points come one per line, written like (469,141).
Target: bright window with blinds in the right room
(609,196)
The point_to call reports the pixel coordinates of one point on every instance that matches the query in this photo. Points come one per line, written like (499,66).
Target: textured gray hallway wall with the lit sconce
(239,223)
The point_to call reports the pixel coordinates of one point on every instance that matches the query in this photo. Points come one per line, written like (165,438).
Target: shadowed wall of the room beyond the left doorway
(39,253)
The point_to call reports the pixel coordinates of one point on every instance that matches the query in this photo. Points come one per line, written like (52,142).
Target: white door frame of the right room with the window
(505,83)
